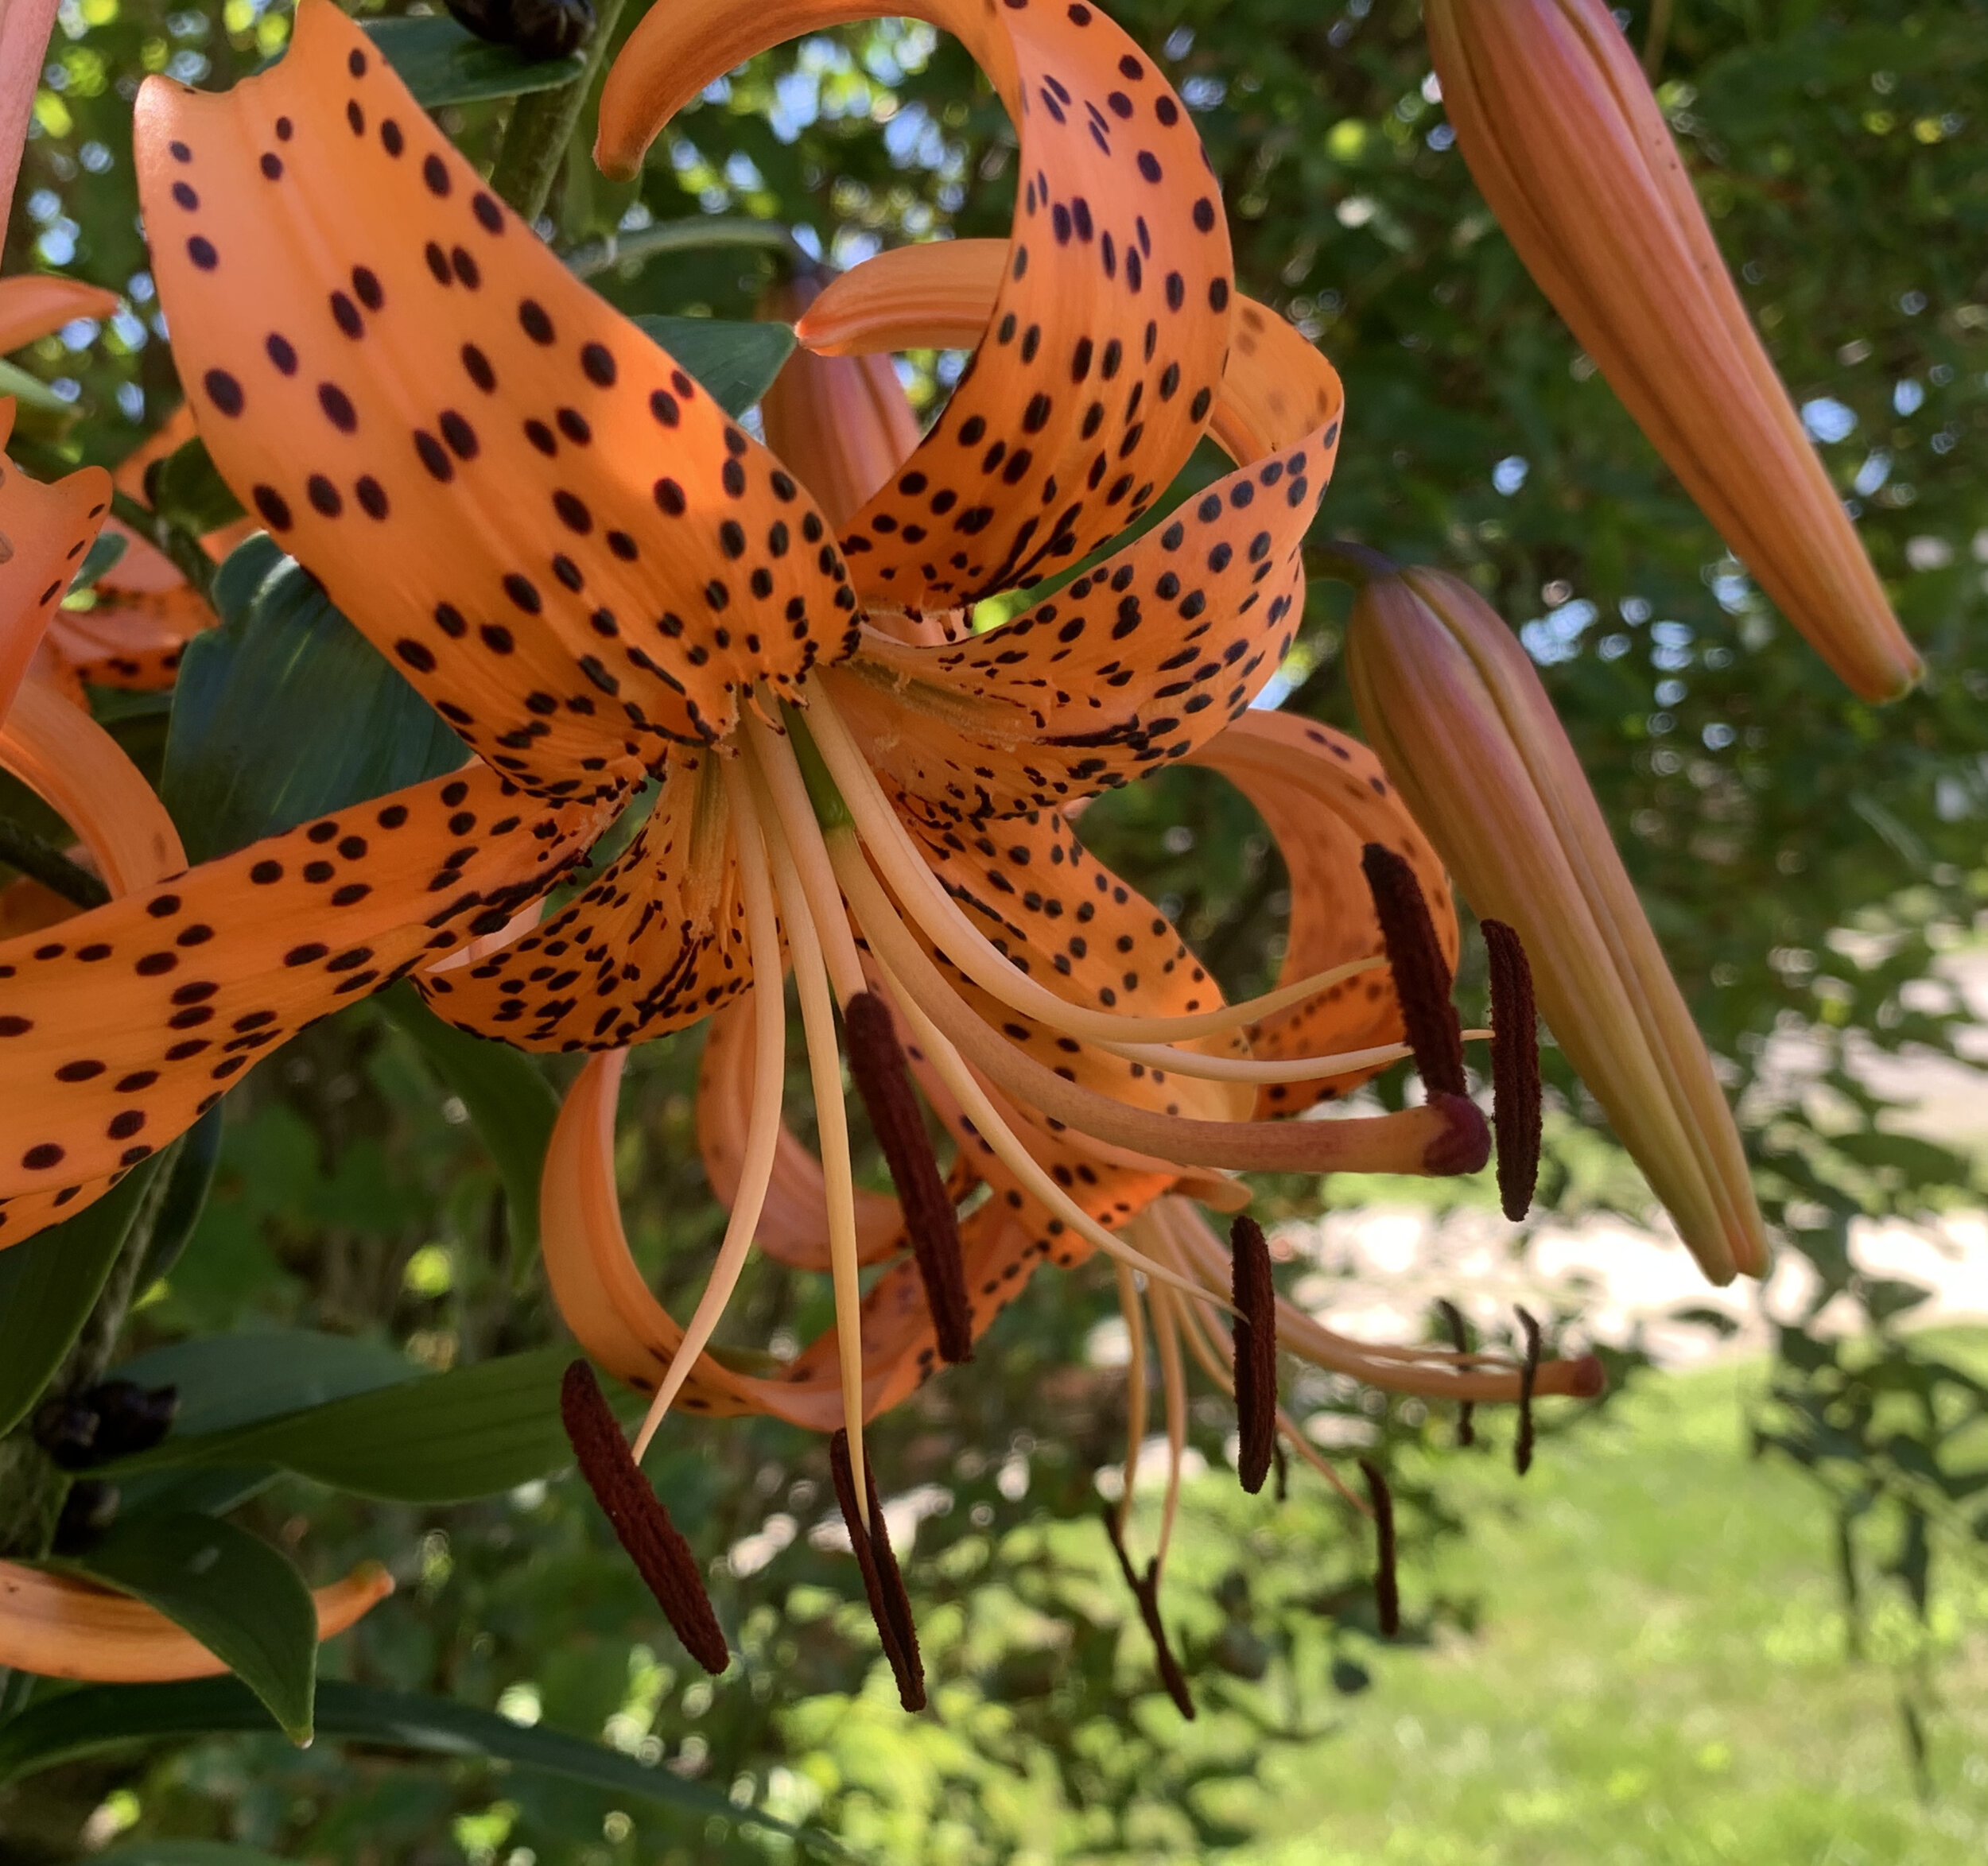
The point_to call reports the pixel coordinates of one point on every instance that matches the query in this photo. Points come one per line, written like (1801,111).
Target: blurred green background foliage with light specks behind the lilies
(1806,861)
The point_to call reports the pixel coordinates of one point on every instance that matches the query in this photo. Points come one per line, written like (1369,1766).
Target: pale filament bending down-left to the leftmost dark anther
(762,1120)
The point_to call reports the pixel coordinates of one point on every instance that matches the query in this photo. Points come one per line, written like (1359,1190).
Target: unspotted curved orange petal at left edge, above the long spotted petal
(84,774)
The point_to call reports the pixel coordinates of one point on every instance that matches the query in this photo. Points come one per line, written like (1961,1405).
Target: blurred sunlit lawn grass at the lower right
(1659,1678)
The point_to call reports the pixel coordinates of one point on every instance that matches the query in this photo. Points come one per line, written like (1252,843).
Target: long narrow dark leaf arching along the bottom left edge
(96,1718)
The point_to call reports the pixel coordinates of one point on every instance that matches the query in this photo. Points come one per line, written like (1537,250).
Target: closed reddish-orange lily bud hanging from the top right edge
(1575,160)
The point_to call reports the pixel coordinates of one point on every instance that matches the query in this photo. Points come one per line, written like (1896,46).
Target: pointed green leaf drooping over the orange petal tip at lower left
(234,1593)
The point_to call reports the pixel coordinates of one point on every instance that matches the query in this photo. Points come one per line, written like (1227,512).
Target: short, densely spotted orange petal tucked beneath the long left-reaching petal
(655,945)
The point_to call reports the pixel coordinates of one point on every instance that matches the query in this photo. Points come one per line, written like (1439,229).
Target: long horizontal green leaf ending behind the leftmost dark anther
(446,1438)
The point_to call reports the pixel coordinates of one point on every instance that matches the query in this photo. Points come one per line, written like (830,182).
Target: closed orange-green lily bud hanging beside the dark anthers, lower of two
(1464,728)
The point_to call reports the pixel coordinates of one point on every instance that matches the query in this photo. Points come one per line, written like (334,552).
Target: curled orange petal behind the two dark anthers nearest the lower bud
(1325,798)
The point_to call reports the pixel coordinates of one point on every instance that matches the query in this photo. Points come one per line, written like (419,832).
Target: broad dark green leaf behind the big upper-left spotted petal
(287,712)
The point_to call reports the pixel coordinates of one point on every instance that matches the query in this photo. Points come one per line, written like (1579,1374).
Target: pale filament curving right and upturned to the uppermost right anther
(945,921)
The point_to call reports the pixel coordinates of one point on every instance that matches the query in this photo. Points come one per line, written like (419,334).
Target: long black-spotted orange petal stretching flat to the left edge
(122,1032)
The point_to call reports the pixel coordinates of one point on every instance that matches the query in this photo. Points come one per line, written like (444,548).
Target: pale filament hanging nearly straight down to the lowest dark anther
(832,1122)
